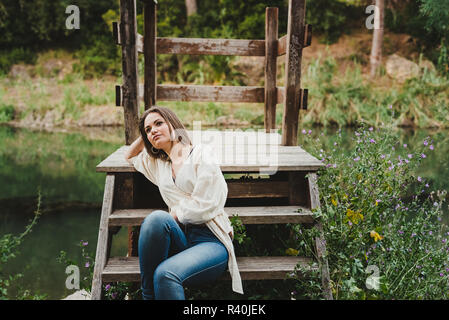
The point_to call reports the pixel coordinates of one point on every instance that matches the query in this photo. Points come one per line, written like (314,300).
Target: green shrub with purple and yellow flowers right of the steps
(383,227)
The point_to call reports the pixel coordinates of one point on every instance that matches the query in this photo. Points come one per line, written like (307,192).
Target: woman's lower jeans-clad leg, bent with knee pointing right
(202,263)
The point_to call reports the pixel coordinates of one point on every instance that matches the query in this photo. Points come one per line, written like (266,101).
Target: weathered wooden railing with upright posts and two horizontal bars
(291,96)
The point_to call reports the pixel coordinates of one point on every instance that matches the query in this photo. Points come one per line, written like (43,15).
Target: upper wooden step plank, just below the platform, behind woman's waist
(248,215)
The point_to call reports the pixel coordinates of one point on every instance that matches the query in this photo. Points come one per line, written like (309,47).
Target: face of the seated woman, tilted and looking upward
(157,130)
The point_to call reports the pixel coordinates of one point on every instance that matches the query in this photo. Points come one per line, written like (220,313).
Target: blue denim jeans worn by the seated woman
(170,258)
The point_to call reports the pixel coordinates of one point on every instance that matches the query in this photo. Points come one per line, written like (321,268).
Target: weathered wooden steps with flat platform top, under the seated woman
(293,184)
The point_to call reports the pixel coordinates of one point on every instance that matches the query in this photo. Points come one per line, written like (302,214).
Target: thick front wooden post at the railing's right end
(295,44)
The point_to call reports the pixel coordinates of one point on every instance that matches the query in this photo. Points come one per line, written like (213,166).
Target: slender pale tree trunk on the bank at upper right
(378,35)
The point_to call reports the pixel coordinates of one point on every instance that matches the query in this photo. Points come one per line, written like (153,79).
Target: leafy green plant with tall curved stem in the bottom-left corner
(9,249)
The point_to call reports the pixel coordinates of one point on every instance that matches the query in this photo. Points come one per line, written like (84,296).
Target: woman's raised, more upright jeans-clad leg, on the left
(160,236)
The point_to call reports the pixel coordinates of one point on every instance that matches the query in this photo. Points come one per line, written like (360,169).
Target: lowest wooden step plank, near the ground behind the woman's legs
(251,268)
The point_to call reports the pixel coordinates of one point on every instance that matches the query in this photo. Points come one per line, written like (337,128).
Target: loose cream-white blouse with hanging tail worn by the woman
(198,195)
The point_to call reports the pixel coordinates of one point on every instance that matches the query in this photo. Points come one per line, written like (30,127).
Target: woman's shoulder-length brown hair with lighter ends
(180,133)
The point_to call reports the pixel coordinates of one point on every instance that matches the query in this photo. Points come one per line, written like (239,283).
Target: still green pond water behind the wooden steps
(61,167)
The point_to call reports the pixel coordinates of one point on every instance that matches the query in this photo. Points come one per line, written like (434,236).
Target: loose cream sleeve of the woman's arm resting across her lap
(209,194)
